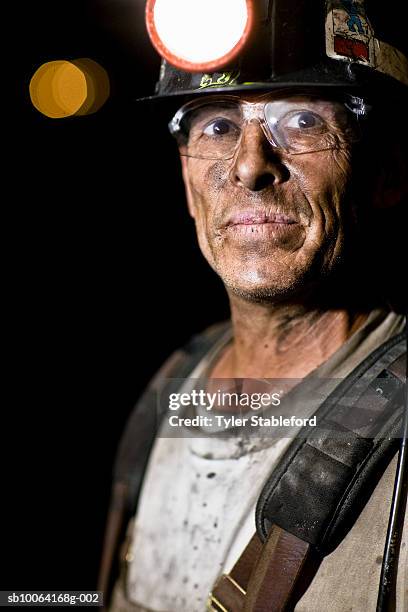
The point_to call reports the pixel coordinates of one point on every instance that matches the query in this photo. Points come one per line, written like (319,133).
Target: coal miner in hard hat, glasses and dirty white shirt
(265,468)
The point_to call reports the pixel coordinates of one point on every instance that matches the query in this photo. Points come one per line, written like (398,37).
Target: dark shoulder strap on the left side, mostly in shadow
(136,444)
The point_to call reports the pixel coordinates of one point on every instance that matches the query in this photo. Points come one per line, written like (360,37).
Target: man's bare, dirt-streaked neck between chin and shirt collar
(284,340)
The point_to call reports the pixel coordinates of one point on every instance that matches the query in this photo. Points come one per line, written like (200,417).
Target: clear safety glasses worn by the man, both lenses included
(212,128)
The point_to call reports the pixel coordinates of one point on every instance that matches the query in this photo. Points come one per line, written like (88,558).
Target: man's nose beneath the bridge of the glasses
(257,164)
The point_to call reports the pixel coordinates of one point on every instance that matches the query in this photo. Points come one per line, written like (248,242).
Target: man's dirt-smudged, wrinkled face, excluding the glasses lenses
(269,222)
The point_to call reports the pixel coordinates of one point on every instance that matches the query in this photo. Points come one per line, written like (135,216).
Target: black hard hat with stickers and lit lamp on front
(278,44)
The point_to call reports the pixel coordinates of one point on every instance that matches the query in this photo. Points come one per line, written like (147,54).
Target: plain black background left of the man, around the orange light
(102,280)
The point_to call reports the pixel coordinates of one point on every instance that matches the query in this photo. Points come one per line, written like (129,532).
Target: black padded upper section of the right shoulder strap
(334,474)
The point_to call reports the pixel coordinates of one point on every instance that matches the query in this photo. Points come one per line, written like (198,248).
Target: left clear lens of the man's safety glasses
(210,130)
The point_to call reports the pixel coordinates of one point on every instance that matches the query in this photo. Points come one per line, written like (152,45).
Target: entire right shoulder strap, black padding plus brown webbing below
(299,519)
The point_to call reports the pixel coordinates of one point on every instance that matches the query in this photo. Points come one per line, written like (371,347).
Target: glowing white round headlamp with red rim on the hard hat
(199,35)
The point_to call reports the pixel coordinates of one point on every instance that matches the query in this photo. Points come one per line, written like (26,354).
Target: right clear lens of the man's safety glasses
(304,126)
